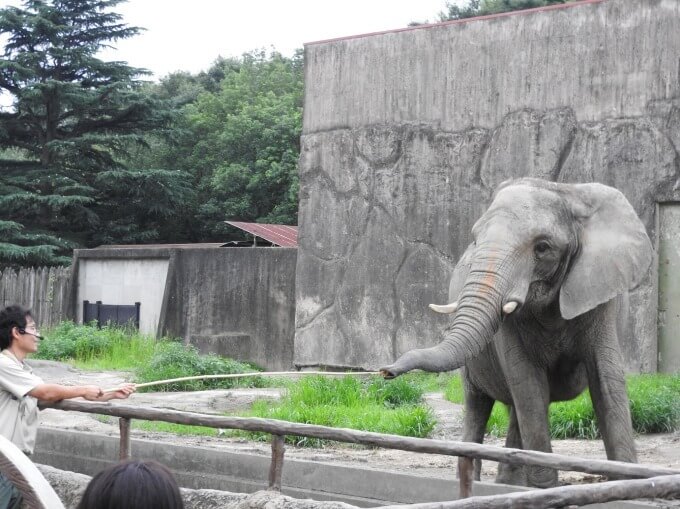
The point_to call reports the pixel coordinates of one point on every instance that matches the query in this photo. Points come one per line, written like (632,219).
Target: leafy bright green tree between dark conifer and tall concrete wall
(240,140)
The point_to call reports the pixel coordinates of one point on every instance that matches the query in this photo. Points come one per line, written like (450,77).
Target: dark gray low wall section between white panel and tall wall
(238,302)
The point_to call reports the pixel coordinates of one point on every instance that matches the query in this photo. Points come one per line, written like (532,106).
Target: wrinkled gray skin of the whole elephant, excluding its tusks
(563,252)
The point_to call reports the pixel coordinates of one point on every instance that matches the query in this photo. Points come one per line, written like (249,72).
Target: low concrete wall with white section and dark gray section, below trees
(237,302)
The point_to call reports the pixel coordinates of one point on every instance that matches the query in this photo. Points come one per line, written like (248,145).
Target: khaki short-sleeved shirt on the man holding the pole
(18,412)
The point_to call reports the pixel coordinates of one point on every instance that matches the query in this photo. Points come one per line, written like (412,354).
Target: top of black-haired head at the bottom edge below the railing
(133,485)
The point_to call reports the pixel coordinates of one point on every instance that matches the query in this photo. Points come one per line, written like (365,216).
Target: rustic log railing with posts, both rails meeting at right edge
(657,482)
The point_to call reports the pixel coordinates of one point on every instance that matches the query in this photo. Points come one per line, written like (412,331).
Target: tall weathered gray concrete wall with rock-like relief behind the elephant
(406,134)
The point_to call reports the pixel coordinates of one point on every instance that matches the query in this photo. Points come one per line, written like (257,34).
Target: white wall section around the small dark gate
(124,282)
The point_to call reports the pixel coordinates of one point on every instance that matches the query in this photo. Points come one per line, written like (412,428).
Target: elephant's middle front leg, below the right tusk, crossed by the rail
(530,392)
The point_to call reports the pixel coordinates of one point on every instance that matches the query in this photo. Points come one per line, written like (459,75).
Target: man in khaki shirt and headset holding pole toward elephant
(20,389)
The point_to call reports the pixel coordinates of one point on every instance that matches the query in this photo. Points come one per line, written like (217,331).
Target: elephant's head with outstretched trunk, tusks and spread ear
(552,250)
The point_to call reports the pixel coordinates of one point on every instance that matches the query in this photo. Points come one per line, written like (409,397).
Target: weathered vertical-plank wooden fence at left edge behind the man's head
(45,290)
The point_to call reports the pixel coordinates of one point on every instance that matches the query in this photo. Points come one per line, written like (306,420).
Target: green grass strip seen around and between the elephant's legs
(654,404)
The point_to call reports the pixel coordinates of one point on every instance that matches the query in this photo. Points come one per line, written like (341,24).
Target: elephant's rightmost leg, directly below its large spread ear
(607,385)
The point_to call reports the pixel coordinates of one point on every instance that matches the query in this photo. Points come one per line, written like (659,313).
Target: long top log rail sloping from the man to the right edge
(421,445)
